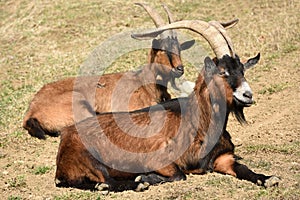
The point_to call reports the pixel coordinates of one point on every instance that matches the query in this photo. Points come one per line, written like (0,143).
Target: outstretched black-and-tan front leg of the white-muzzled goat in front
(226,164)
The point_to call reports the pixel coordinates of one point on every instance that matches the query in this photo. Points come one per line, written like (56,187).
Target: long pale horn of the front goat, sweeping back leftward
(214,37)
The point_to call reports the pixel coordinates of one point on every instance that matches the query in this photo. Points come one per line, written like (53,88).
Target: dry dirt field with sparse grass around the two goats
(43,41)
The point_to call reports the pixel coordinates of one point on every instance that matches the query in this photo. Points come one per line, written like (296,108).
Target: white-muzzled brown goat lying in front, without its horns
(164,142)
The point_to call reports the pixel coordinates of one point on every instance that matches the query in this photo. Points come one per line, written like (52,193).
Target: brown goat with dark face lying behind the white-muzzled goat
(60,103)
